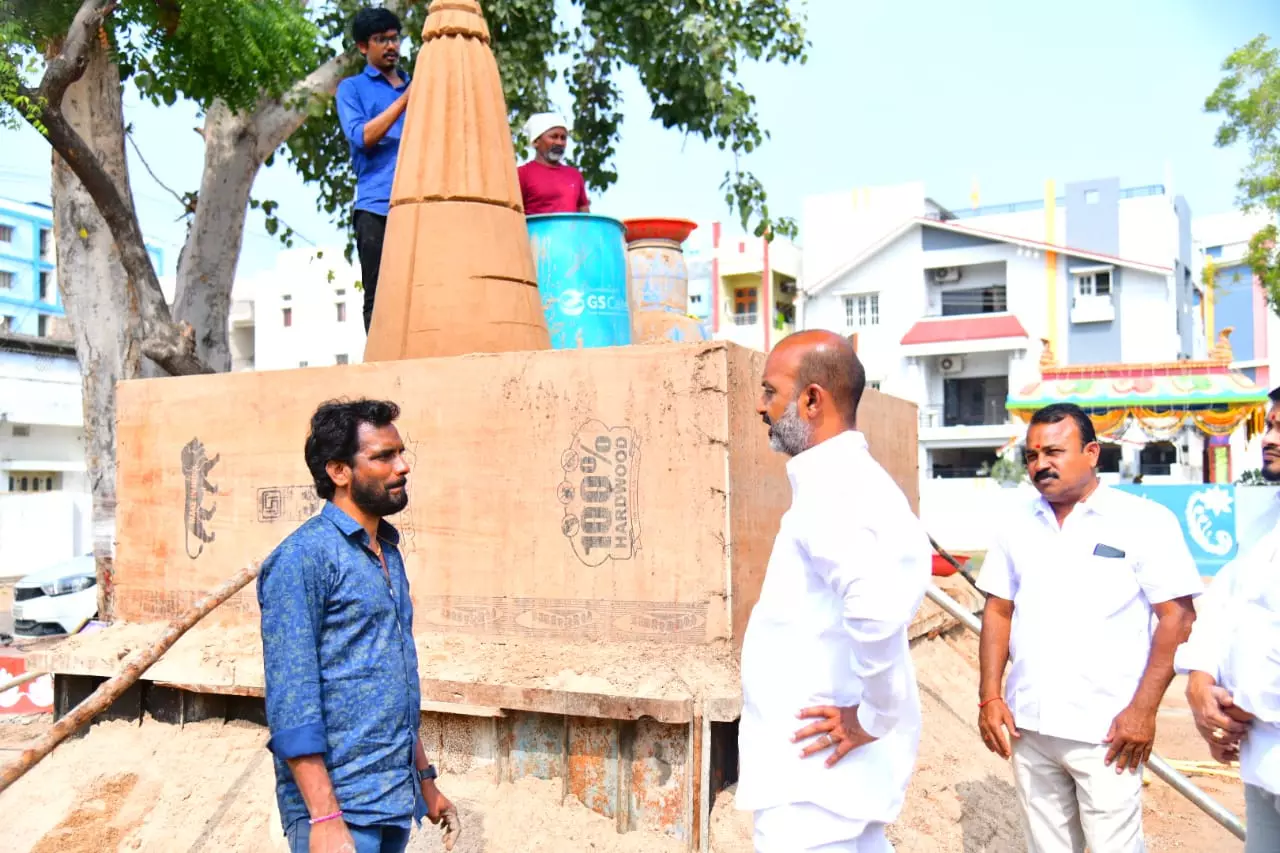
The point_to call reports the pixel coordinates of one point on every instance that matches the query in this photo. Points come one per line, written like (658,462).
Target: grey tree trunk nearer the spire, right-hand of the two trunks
(207,270)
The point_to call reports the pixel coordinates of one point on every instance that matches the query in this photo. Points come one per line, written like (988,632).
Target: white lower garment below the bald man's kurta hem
(804,828)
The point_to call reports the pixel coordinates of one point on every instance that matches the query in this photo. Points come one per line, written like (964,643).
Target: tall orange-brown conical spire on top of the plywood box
(458,275)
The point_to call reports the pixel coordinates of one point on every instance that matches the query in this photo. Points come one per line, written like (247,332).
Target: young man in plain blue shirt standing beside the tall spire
(372,115)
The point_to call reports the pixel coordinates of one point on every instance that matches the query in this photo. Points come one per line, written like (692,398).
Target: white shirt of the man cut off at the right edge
(1237,641)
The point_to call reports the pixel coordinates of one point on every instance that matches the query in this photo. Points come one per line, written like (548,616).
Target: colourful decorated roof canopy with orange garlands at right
(1159,399)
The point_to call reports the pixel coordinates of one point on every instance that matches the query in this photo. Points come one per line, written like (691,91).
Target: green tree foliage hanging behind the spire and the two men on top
(687,53)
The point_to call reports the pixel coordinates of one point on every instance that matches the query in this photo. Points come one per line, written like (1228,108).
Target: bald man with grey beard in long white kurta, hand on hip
(828,641)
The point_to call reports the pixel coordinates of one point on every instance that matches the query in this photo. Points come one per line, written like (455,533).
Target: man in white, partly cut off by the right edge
(1233,667)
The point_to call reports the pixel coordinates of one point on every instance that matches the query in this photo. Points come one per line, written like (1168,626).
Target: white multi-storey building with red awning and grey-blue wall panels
(950,308)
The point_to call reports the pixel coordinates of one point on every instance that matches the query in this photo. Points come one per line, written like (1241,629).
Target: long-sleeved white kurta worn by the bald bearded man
(848,573)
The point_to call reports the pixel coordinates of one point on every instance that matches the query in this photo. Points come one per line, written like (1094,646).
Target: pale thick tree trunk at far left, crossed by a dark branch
(107,330)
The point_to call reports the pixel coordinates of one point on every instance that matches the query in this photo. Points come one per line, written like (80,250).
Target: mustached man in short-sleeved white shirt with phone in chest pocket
(1073,583)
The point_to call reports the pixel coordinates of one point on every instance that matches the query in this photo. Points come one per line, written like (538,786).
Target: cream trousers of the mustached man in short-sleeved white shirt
(1072,801)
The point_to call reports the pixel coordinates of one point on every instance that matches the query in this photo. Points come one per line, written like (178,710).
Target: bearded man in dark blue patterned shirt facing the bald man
(342,690)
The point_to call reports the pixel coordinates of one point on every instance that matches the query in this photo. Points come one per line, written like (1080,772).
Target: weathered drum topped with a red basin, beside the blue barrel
(659,282)
